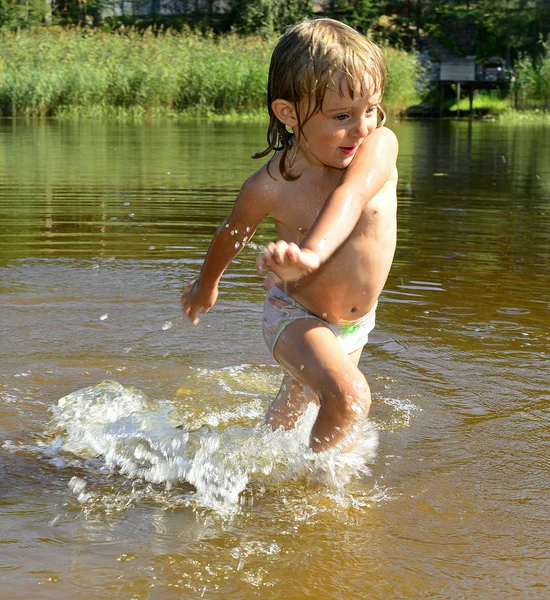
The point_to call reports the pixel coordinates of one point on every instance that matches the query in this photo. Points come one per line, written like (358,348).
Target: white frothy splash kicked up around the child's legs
(136,437)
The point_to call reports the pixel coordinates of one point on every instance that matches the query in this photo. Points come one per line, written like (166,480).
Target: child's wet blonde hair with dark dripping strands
(307,60)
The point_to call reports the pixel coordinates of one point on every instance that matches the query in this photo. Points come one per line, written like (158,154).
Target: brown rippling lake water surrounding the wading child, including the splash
(101,225)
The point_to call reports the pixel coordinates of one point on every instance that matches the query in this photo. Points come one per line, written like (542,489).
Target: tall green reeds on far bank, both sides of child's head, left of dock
(52,72)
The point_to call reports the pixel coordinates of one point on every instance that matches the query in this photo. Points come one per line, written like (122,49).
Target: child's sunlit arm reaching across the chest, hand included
(361,181)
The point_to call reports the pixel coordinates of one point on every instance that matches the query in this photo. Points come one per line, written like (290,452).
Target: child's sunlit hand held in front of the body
(288,262)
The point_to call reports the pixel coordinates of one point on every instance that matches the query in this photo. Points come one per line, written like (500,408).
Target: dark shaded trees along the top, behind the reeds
(484,28)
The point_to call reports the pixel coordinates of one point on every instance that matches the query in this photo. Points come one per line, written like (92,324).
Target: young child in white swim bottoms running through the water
(331,189)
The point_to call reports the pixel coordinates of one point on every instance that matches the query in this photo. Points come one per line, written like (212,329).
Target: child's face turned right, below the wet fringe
(332,136)
